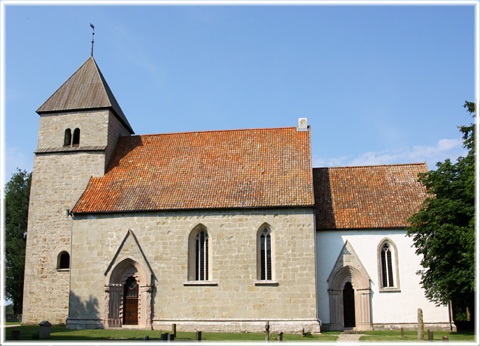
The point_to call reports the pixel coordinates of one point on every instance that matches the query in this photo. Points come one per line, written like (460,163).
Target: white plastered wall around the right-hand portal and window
(387,307)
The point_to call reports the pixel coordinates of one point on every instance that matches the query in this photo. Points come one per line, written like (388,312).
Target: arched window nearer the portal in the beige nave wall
(199,255)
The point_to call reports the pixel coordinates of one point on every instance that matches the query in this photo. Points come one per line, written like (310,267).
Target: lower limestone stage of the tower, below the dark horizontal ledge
(58,181)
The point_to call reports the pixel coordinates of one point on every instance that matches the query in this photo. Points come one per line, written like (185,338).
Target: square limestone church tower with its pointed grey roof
(79,127)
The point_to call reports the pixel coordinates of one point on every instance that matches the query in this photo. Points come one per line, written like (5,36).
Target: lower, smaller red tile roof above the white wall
(367,197)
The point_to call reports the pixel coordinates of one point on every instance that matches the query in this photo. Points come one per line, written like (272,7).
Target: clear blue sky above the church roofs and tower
(378,84)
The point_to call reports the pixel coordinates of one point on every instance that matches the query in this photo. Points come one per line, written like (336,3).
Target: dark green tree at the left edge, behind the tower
(17,193)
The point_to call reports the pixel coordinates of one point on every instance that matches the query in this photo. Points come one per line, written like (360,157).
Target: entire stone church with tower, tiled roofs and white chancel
(213,231)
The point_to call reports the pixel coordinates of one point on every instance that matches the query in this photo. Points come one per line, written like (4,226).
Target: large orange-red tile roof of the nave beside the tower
(215,169)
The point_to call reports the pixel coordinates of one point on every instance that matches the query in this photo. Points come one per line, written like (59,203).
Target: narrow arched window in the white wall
(388,266)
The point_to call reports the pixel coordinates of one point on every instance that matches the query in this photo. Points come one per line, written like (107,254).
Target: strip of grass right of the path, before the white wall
(393,336)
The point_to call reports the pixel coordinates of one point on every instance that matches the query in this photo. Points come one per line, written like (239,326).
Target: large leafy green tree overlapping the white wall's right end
(443,230)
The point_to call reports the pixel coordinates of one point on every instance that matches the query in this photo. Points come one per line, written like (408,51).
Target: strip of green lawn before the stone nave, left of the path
(61,333)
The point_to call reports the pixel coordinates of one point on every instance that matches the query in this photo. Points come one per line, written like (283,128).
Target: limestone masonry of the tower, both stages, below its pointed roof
(58,180)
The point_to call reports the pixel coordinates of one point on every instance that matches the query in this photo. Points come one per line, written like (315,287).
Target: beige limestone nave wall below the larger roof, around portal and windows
(232,295)
